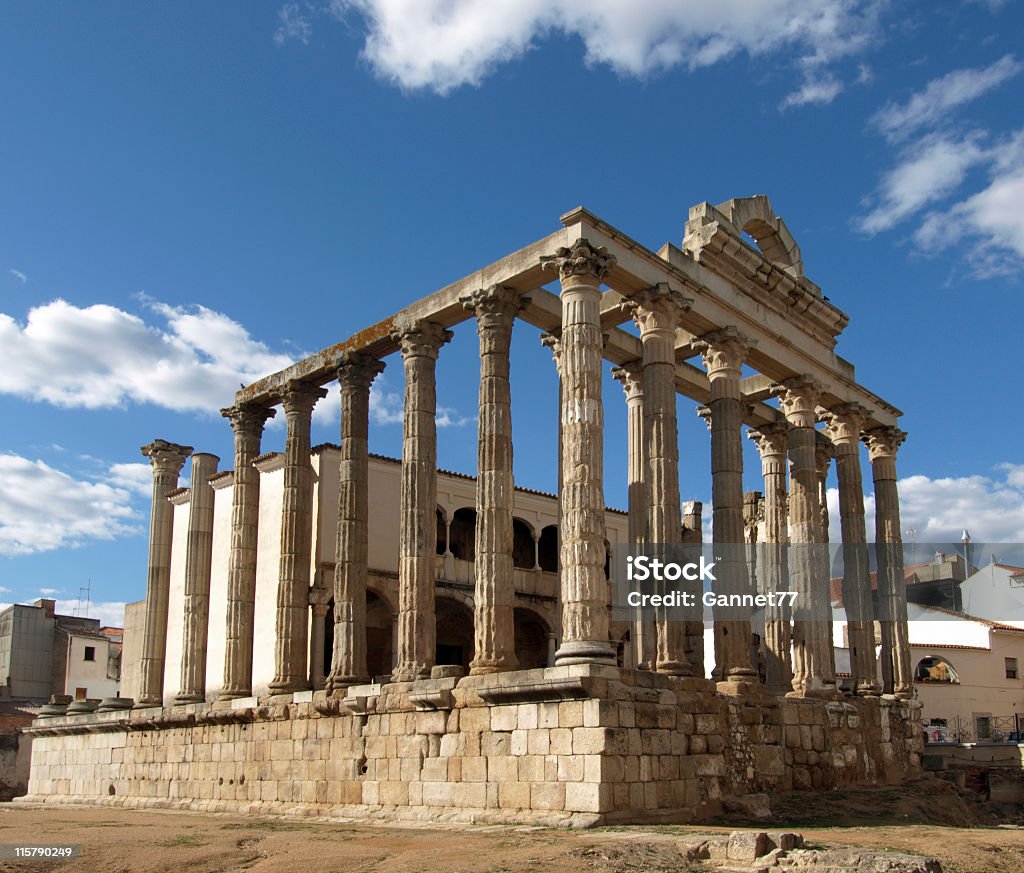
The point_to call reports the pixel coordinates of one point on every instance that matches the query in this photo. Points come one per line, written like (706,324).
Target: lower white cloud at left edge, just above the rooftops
(44,509)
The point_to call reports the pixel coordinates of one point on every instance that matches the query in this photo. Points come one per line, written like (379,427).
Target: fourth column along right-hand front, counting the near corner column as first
(813,660)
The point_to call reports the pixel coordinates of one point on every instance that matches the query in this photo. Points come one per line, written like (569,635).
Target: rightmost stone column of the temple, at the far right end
(883,445)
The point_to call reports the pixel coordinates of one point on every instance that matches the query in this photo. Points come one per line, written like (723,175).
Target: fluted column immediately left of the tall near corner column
(494,602)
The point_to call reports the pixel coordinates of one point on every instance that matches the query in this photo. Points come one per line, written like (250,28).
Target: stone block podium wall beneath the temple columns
(576,747)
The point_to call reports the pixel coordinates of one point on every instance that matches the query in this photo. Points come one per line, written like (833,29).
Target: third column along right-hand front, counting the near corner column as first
(724,353)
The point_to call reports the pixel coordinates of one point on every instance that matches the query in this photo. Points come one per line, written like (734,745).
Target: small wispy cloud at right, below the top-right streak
(929,171)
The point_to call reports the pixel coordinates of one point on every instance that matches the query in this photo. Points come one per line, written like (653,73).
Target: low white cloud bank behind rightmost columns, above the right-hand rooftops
(940,510)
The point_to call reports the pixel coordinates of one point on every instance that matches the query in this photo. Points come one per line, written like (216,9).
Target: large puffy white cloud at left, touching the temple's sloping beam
(102,357)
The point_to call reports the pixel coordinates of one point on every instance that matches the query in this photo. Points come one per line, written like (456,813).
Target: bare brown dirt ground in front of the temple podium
(966,837)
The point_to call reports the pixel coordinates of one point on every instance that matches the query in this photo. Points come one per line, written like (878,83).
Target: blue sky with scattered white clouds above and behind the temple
(195,195)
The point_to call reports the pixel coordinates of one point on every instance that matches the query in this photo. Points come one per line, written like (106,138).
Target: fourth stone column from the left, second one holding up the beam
(292,645)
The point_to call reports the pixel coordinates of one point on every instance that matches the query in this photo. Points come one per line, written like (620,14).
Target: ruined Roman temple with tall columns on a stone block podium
(330,632)
